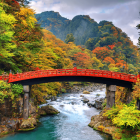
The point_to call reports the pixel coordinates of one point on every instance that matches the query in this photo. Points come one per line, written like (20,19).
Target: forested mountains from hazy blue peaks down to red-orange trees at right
(108,42)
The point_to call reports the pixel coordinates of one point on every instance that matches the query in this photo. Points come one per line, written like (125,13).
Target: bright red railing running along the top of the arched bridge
(71,72)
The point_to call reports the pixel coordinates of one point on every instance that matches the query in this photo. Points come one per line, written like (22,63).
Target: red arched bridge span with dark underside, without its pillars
(87,75)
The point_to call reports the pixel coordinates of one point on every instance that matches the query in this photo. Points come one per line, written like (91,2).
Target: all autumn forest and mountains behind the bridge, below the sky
(26,46)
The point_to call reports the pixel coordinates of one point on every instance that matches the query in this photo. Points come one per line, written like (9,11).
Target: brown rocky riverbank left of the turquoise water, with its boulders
(13,125)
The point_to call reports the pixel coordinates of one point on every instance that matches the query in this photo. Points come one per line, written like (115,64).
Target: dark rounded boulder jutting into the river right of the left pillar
(47,110)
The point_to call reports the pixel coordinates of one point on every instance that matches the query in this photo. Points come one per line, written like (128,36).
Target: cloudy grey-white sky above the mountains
(123,14)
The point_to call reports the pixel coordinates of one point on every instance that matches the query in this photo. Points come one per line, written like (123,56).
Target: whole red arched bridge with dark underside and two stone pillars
(111,79)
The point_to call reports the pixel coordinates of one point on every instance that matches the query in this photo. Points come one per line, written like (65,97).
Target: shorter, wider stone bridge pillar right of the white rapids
(110,95)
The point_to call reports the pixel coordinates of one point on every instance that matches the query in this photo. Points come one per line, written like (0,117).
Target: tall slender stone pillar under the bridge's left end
(26,89)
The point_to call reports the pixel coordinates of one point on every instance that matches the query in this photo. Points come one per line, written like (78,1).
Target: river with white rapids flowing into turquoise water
(70,124)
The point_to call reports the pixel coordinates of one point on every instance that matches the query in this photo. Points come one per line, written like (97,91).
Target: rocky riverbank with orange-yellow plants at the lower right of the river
(105,125)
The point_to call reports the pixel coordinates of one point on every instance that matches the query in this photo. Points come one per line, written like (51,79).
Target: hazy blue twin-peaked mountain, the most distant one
(82,27)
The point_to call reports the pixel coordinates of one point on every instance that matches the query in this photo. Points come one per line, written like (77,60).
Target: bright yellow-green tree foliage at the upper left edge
(7,22)
